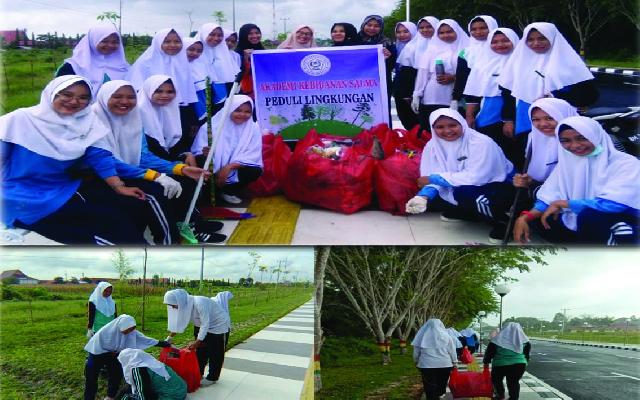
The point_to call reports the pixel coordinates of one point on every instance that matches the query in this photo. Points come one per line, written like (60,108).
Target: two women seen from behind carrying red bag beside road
(434,353)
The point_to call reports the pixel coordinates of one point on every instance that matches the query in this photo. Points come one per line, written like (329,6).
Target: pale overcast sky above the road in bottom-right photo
(585,281)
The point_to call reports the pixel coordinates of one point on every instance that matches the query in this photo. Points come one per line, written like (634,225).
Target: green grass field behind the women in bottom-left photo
(42,341)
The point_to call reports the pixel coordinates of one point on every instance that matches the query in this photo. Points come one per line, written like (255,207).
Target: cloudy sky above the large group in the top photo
(148,16)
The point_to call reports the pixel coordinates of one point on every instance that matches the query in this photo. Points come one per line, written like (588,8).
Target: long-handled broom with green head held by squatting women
(183,226)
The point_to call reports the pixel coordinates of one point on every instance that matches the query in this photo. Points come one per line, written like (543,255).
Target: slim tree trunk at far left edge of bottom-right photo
(321,256)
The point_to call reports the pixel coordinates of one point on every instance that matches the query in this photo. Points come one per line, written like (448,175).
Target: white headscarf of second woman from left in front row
(124,139)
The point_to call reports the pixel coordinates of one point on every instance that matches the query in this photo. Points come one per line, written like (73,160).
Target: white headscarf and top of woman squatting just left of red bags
(238,143)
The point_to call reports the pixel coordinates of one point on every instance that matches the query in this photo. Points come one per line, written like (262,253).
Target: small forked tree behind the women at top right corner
(587,18)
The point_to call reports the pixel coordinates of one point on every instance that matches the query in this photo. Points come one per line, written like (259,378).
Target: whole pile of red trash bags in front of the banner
(343,173)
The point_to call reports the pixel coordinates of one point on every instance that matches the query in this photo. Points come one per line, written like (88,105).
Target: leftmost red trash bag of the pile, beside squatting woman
(275,156)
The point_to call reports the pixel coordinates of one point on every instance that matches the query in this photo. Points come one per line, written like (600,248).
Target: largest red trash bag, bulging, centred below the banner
(344,185)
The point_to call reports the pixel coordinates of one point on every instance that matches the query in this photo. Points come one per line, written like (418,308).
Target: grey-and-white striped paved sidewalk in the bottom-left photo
(270,365)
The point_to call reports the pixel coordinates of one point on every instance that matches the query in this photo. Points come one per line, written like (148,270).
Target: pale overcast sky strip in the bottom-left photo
(220,262)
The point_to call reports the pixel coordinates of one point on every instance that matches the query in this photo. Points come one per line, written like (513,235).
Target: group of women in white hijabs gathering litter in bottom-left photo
(117,347)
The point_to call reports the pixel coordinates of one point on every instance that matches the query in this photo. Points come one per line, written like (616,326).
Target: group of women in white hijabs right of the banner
(502,77)
